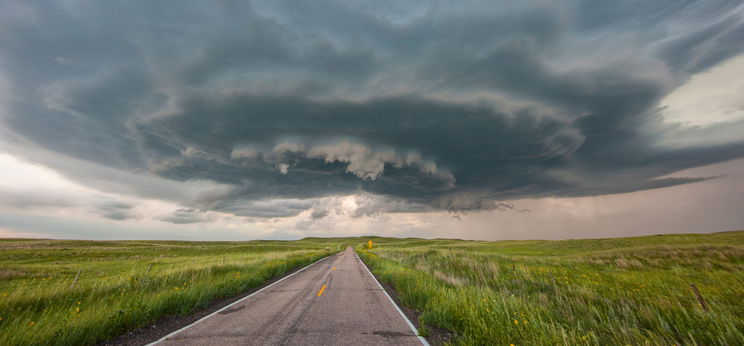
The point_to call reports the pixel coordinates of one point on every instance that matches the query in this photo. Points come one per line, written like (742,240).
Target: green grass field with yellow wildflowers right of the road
(575,292)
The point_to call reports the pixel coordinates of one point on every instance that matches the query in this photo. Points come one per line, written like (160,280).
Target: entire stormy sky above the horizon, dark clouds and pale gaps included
(237,120)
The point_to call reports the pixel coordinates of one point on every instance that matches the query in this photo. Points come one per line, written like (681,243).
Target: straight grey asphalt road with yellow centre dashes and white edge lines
(335,301)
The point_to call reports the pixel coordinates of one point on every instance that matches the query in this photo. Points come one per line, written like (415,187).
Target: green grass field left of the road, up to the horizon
(128,284)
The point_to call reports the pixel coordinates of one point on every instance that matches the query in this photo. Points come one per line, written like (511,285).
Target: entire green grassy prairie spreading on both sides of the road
(575,292)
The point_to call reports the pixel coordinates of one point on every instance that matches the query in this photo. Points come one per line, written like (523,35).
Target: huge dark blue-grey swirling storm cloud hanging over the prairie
(450,106)
